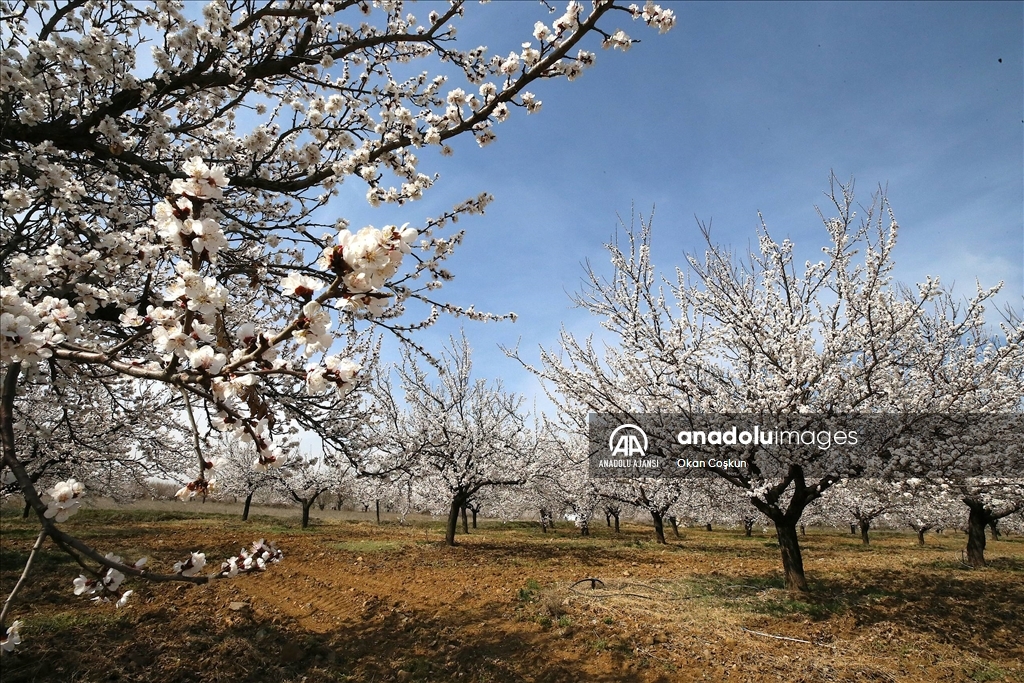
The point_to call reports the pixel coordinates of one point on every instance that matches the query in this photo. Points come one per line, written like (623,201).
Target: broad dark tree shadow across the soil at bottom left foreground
(390,645)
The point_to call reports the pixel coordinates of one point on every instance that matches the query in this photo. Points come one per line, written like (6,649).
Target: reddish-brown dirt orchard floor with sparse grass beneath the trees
(354,602)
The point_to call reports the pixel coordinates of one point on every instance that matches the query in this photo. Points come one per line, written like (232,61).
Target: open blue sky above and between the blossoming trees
(742,108)
